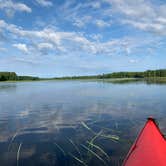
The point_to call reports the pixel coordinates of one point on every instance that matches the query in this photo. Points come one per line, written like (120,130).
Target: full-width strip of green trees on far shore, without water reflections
(12,76)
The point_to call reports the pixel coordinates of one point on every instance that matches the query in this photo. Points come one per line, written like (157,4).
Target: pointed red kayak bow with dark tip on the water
(149,148)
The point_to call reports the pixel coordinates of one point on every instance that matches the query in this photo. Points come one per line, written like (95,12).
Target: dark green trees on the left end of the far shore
(12,76)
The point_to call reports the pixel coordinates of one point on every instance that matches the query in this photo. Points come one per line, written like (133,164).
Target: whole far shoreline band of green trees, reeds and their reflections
(149,76)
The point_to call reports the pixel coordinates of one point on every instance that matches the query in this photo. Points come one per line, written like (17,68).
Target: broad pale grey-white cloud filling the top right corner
(141,14)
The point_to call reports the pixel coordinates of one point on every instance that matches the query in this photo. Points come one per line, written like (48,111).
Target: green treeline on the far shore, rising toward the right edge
(145,74)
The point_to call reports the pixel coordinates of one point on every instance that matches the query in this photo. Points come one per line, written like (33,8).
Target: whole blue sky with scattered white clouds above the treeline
(81,37)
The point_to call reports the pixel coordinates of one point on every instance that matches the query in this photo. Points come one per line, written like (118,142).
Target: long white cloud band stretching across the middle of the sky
(50,39)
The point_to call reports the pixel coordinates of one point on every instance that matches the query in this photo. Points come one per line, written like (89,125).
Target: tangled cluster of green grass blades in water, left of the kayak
(89,148)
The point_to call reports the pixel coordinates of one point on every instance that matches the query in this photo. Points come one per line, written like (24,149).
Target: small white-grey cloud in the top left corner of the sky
(11,7)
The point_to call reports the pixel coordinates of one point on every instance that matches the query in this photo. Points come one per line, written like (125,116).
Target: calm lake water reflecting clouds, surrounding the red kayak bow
(50,123)
